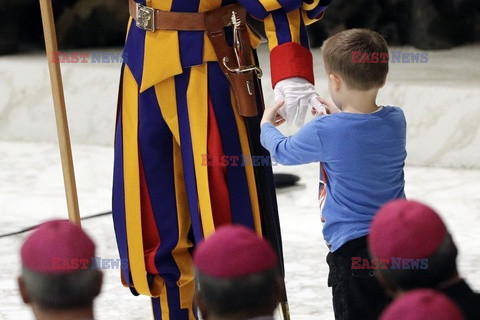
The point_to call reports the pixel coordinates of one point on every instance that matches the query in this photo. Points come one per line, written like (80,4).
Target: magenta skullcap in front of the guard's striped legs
(234,251)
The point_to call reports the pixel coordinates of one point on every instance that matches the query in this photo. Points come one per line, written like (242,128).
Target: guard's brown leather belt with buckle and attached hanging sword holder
(236,63)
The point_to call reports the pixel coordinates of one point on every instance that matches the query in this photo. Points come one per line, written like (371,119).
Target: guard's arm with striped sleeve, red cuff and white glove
(291,61)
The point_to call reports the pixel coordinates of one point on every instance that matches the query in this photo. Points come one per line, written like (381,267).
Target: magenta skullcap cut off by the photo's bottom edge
(422,304)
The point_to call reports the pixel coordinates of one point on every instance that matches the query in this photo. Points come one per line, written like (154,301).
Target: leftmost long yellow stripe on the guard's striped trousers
(132,182)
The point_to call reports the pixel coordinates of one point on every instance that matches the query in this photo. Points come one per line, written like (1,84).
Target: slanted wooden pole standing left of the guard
(60,111)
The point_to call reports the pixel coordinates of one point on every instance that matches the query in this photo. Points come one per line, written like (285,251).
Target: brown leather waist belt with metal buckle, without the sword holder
(151,19)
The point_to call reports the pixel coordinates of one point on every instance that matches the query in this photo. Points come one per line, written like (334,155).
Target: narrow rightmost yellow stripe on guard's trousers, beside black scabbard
(252,186)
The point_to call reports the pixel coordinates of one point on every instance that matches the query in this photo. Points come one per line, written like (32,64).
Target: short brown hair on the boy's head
(358,56)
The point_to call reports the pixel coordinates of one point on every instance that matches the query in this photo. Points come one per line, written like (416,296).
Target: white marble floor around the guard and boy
(31,191)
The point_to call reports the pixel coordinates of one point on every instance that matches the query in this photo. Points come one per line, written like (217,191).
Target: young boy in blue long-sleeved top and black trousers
(362,149)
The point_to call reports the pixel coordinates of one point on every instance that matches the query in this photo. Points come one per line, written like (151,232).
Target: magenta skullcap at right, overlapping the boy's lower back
(405,229)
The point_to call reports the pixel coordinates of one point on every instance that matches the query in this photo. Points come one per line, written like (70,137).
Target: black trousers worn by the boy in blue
(357,295)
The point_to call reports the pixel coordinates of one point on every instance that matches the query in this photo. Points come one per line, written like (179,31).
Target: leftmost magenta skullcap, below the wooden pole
(57,246)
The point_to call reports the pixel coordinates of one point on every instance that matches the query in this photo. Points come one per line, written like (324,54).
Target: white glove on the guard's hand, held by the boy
(298,94)
